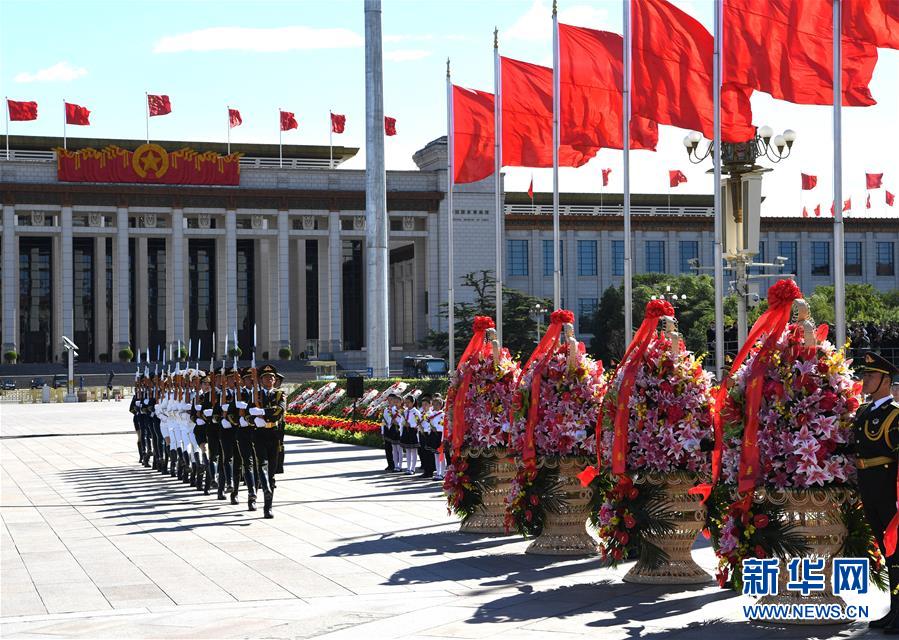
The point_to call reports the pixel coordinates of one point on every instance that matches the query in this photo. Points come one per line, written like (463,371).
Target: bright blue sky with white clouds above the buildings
(307,57)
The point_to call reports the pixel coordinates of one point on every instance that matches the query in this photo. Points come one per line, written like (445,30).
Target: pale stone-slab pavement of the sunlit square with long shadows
(95,546)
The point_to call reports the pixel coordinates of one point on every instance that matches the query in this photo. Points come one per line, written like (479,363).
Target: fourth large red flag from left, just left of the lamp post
(672,74)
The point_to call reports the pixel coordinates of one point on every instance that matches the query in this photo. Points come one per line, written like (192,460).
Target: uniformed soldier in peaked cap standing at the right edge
(877,451)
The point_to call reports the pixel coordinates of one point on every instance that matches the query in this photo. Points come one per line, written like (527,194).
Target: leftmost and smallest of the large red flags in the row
(473,133)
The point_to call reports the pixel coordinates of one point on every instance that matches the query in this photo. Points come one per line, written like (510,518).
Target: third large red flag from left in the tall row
(591,84)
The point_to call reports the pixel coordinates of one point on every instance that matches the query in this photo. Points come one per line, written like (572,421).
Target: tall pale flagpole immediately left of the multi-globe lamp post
(716,161)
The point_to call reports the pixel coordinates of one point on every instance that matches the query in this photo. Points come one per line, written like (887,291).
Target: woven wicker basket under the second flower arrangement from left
(565,521)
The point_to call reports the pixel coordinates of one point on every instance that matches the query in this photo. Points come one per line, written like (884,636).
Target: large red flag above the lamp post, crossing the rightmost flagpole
(785,48)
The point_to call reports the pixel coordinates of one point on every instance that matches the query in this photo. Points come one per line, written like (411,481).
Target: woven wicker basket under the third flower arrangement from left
(685,516)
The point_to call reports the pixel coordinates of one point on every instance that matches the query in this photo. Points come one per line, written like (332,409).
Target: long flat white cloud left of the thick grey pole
(265,40)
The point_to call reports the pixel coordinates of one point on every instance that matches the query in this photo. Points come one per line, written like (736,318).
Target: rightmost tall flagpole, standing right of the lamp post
(839,280)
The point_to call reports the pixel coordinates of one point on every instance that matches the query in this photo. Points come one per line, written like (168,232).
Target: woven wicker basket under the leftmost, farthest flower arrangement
(487,518)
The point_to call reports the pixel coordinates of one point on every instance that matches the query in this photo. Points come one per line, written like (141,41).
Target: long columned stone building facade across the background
(144,266)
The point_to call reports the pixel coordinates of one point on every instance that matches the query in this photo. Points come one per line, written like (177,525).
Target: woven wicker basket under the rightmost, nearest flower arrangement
(816,516)
